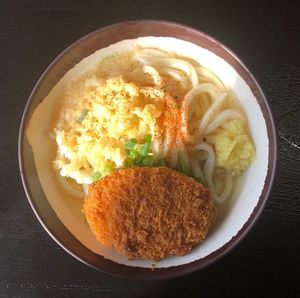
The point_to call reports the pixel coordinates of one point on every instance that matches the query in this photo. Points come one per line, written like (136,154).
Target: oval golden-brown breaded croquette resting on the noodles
(149,213)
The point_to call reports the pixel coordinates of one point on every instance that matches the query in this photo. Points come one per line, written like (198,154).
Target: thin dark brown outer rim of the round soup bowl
(174,271)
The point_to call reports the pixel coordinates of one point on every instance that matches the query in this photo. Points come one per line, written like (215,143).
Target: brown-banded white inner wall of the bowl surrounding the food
(248,197)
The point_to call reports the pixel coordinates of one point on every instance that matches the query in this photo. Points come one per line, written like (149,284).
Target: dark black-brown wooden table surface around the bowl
(263,34)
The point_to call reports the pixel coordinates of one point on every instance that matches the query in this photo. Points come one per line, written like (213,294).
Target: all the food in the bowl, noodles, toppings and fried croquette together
(146,108)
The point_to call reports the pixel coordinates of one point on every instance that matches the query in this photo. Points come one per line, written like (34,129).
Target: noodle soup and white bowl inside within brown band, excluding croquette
(187,106)
